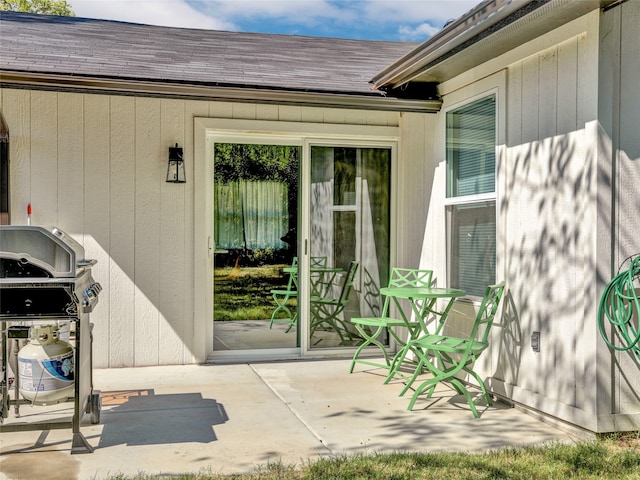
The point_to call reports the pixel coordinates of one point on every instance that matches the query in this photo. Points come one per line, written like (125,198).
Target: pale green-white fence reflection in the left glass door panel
(251,214)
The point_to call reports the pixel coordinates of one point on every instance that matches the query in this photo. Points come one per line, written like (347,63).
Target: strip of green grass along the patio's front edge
(598,459)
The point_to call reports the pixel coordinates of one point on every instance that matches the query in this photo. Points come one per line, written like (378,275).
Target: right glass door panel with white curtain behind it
(350,231)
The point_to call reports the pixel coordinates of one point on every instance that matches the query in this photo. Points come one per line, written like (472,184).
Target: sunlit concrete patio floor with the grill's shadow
(240,417)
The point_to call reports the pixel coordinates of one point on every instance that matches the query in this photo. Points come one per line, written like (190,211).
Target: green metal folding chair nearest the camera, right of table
(445,357)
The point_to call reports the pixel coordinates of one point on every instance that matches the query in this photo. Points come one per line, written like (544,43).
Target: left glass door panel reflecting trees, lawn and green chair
(255,209)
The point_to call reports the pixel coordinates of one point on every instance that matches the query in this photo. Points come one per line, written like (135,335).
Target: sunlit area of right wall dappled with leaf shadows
(553,187)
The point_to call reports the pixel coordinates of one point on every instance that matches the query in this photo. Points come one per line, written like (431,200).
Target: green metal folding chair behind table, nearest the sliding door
(371,328)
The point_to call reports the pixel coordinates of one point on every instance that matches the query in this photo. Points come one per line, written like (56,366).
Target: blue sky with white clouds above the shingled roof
(397,20)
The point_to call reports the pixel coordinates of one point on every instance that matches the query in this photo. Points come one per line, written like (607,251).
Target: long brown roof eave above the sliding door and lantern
(115,86)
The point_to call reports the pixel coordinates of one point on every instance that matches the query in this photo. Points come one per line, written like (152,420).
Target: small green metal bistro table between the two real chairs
(423,302)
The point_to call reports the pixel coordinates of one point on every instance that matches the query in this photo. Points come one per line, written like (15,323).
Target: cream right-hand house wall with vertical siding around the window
(551,235)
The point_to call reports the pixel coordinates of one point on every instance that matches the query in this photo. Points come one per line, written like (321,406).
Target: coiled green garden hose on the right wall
(620,306)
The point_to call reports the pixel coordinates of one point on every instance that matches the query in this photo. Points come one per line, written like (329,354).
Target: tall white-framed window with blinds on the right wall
(471,195)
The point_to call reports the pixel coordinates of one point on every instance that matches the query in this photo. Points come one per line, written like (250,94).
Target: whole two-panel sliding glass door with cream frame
(298,235)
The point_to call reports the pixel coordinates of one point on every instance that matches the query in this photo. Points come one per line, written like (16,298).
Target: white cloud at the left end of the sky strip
(175,13)
